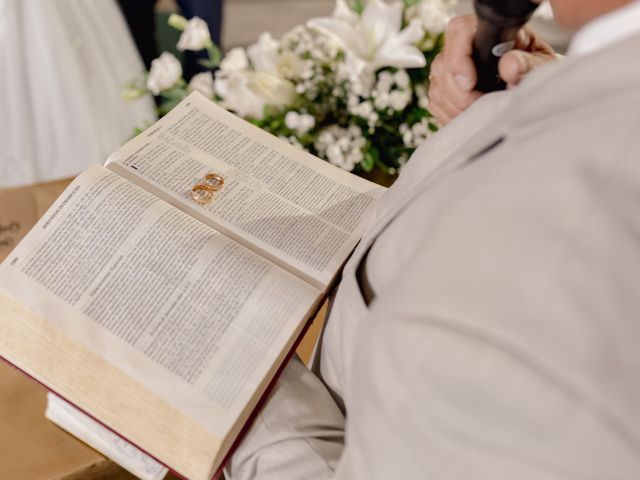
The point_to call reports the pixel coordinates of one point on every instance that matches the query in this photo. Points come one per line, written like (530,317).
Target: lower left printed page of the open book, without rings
(191,314)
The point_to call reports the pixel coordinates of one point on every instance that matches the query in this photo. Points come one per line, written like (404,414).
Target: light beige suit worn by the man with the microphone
(504,339)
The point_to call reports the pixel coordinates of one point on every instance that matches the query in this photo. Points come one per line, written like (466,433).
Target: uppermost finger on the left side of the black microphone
(458,48)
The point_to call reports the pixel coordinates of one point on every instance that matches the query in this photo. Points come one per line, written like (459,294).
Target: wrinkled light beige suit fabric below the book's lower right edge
(299,434)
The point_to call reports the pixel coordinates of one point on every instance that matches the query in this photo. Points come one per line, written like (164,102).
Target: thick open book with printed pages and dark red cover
(164,319)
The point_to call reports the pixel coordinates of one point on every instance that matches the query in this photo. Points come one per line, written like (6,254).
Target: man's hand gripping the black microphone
(453,74)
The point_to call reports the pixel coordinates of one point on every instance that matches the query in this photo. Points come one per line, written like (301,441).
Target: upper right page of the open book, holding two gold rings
(290,206)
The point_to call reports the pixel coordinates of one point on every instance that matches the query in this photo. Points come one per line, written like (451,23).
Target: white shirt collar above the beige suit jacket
(607,29)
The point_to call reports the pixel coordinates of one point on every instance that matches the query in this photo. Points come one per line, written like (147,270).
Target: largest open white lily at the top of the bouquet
(376,37)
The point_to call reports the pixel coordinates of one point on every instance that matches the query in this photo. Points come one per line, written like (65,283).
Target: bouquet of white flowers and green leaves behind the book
(350,88)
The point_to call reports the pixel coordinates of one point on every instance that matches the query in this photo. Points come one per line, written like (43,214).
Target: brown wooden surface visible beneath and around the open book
(31,447)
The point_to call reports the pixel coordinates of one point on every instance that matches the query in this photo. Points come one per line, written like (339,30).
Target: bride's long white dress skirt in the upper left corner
(63,64)
